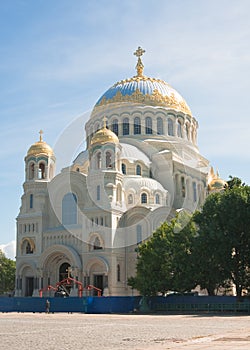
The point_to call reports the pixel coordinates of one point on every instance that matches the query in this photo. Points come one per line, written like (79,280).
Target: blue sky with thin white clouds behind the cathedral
(58,57)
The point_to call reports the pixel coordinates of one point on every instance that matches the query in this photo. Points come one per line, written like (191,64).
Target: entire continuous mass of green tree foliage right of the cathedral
(209,248)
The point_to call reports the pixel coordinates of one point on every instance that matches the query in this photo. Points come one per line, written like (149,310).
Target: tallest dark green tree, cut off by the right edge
(222,247)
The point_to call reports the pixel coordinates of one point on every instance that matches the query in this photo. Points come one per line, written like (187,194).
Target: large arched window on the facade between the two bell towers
(69,209)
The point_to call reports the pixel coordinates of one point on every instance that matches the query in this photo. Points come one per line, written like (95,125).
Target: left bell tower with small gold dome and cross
(33,215)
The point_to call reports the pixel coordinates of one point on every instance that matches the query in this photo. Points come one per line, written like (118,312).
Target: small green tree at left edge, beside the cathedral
(7,274)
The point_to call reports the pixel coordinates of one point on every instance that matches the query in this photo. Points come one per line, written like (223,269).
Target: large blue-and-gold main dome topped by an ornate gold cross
(145,90)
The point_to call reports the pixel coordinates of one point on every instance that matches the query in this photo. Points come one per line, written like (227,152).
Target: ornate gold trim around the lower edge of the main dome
(156,99)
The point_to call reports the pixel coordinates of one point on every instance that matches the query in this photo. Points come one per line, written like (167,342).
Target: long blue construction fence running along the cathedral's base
(104,305)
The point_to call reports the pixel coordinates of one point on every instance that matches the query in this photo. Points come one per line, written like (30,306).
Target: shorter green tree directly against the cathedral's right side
(163,261)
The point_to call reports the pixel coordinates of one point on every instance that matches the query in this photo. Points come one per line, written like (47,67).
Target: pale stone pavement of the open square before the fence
(40,331)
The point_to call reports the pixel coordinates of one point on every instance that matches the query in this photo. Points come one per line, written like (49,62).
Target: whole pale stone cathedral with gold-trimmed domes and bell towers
(140,167)
